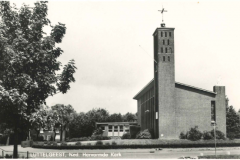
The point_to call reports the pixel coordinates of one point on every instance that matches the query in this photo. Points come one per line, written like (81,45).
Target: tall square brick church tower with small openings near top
(164,82)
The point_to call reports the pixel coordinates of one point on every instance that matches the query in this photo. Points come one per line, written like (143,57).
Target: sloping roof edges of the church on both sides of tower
(151,84)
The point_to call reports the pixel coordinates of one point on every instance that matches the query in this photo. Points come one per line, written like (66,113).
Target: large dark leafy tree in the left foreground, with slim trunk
(28,64)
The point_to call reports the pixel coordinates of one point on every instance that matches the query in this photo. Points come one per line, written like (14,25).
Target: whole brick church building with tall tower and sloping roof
(169,107)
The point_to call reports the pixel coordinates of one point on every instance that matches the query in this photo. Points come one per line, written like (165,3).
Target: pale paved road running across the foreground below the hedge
(125,153)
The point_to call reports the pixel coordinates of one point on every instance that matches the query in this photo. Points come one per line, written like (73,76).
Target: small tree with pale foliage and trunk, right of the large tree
(62,115)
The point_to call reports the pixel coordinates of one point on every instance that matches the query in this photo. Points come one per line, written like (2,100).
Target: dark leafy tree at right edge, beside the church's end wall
(233,126)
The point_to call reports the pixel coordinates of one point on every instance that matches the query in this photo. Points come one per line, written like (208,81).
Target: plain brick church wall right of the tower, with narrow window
(193,108)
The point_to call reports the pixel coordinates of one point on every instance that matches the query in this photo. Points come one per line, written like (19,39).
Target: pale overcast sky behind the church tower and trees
(112,45)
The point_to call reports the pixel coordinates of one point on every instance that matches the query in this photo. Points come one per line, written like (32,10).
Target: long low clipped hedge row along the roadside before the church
(189,145)
